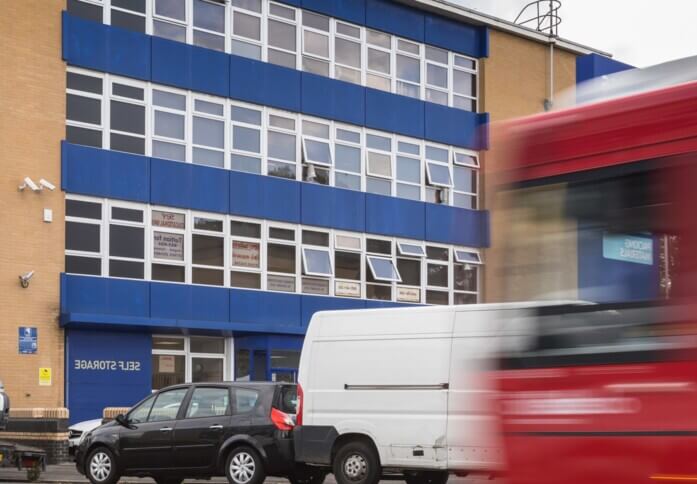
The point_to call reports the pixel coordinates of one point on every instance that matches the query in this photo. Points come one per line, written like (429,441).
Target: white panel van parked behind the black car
(399,391)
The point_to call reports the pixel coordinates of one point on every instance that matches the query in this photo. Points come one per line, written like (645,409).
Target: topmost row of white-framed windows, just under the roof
(298,39)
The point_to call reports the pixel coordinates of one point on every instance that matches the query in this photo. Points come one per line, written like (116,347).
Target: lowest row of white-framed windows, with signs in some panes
(121,239)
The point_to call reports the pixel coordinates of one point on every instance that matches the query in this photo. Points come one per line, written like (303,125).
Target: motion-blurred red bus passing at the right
(596,203)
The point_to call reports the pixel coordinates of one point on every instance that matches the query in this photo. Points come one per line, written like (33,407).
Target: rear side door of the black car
(199,435)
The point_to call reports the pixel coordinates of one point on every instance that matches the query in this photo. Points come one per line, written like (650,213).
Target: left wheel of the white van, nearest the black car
(356,463)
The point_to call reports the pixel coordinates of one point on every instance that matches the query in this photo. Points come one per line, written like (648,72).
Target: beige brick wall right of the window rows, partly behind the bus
(515,81)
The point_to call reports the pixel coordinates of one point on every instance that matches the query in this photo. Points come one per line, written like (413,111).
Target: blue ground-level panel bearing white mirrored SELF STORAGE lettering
(105,369)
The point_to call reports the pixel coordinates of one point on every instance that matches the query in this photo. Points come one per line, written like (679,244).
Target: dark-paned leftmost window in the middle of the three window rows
(84,109)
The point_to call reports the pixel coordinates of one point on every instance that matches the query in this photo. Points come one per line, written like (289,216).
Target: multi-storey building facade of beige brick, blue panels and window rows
(224,169)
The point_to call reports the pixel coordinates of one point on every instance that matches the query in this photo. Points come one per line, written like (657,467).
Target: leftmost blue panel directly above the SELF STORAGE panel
(97,295)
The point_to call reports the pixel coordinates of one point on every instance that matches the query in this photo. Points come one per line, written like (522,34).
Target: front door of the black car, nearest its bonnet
(148,441)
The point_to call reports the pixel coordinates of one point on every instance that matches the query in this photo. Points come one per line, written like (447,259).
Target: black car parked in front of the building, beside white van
(239,430)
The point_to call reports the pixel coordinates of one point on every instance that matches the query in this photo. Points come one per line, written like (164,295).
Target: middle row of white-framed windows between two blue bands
(121,114)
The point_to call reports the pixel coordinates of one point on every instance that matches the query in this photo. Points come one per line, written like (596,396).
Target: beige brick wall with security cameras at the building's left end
(32,113)
